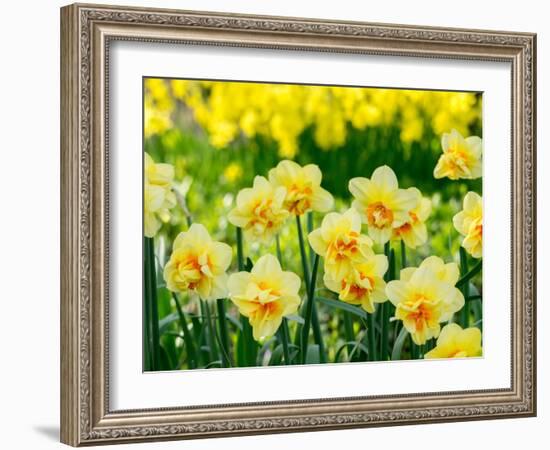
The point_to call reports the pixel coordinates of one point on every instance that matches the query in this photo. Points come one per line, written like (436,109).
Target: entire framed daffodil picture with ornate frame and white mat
(276,225)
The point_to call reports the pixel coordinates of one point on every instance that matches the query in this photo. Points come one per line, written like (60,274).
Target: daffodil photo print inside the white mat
(291,224)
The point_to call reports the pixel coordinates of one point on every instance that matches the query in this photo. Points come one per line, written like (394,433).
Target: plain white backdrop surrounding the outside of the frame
(29,179)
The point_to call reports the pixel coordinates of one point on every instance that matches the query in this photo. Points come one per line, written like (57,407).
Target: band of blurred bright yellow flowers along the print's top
(284,111)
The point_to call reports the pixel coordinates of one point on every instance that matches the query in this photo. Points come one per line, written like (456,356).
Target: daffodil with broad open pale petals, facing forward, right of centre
(382,205)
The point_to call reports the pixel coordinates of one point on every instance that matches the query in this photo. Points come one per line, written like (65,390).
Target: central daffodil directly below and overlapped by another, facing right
(363,284)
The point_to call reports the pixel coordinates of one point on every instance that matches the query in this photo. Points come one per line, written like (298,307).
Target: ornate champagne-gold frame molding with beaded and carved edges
(86,32)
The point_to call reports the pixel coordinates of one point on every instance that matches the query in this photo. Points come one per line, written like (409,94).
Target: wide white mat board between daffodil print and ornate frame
(132,389)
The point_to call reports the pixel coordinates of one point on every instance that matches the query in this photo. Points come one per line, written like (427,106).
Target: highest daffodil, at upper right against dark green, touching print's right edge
(461,157)
